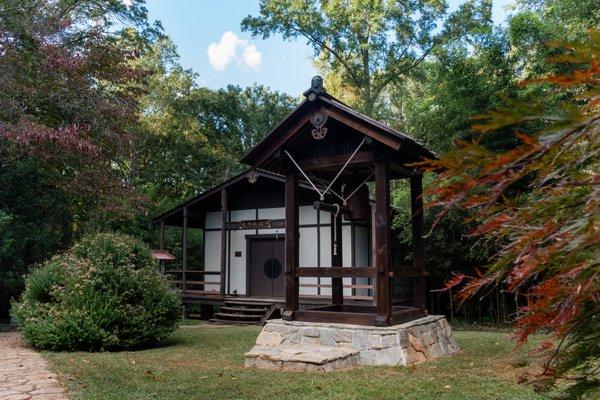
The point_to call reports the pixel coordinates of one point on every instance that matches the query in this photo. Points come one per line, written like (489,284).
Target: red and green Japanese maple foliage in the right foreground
(540,201)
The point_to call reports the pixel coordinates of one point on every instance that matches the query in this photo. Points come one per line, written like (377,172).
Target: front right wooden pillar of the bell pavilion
(382,238)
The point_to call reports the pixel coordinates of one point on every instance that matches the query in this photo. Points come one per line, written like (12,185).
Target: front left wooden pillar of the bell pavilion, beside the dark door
(291,245)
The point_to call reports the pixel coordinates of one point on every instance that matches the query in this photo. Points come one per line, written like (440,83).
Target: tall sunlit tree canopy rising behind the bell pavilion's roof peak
(367,45)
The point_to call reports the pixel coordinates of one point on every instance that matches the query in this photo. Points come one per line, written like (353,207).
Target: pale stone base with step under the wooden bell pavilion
(295,345)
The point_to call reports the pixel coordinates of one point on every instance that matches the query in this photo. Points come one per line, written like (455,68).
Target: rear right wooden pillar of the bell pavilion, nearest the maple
(417,224)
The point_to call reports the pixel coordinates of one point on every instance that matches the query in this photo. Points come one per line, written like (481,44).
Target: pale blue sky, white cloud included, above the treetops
(209,40)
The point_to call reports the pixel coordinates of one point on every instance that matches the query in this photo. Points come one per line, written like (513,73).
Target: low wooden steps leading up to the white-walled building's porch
(245,312)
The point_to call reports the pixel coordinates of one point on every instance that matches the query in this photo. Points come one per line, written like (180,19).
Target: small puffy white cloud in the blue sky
(226,50)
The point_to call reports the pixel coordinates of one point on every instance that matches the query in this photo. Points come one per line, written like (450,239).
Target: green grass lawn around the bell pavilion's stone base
(204,362)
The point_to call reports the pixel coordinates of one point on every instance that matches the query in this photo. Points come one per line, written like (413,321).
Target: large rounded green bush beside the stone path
(104,294)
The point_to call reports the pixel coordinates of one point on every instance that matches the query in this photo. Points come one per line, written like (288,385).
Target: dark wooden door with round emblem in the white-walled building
(266,267)
